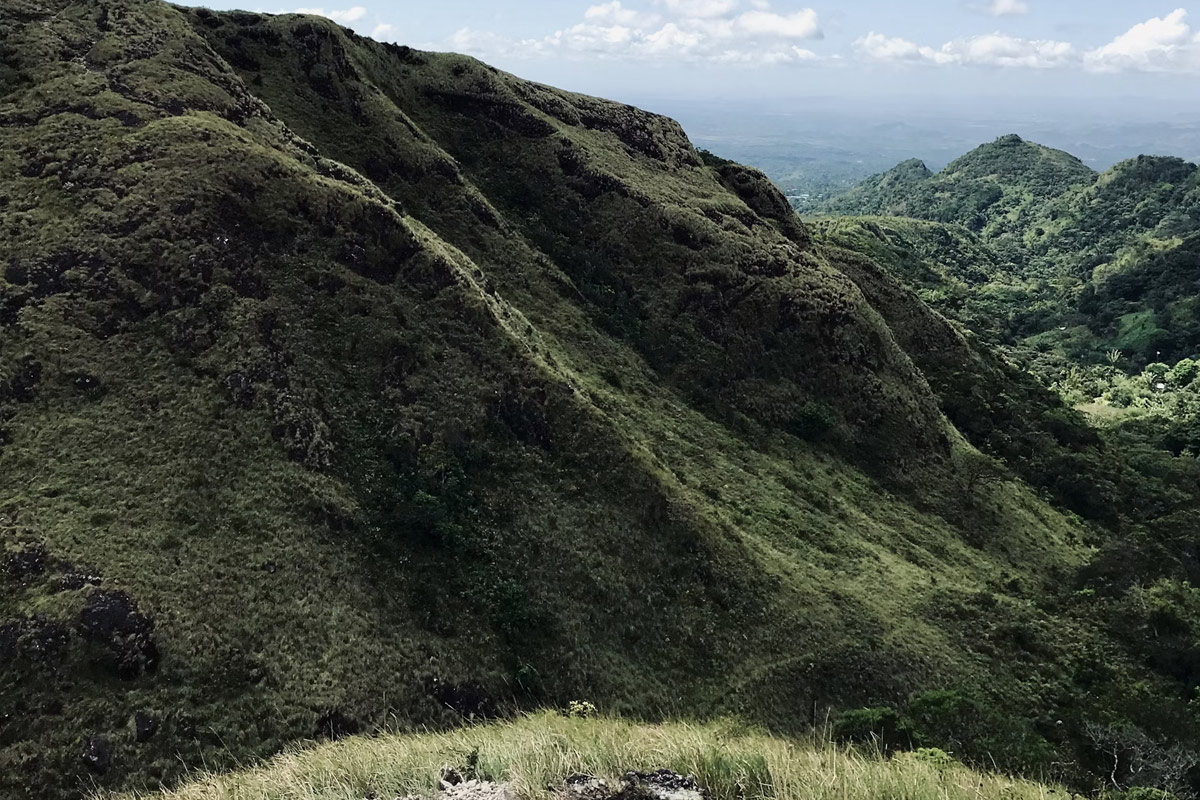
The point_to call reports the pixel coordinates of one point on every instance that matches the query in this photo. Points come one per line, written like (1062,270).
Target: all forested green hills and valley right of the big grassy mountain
(1091,290)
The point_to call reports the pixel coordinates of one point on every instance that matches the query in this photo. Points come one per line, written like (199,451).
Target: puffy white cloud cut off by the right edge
(1159,45)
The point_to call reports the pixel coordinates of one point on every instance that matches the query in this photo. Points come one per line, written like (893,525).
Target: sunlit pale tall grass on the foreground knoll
(538,753)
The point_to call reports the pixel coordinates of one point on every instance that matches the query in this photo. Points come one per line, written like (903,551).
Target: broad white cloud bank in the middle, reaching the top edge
(722,32)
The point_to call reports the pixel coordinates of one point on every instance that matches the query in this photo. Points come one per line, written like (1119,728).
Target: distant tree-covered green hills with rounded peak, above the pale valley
(1106,260)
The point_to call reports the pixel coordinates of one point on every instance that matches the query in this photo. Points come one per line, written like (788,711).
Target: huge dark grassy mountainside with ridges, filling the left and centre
(346,387)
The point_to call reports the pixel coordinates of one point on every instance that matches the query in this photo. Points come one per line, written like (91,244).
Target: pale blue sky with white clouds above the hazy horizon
(787,49)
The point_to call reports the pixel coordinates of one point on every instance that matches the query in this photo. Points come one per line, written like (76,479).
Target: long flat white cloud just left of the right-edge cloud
(987,51)
